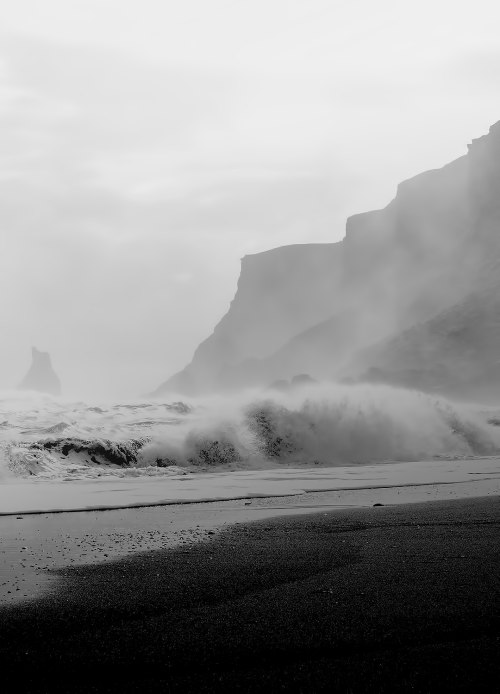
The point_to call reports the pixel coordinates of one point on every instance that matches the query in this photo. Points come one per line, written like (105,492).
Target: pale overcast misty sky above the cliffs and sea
(146,146)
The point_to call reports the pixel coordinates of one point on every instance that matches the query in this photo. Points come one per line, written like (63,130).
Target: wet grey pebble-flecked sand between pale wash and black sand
(35,546)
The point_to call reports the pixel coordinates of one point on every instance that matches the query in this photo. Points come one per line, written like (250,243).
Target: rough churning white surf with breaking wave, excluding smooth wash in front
(326,425)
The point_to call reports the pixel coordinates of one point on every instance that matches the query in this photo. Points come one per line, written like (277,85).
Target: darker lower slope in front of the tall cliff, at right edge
(456,353)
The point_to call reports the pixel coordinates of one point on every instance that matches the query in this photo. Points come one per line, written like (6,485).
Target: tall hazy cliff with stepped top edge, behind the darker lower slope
(310,308)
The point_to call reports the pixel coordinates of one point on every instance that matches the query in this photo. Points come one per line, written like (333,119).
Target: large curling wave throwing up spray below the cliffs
(328,426)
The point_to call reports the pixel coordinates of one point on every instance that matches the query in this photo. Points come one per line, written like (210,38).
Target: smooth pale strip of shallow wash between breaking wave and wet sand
(109,493)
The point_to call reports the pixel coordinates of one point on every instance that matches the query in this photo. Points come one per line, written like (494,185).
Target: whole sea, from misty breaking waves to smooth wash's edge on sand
(66,454)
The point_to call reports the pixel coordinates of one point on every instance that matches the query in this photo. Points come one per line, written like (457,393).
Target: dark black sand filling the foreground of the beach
(388,599)
